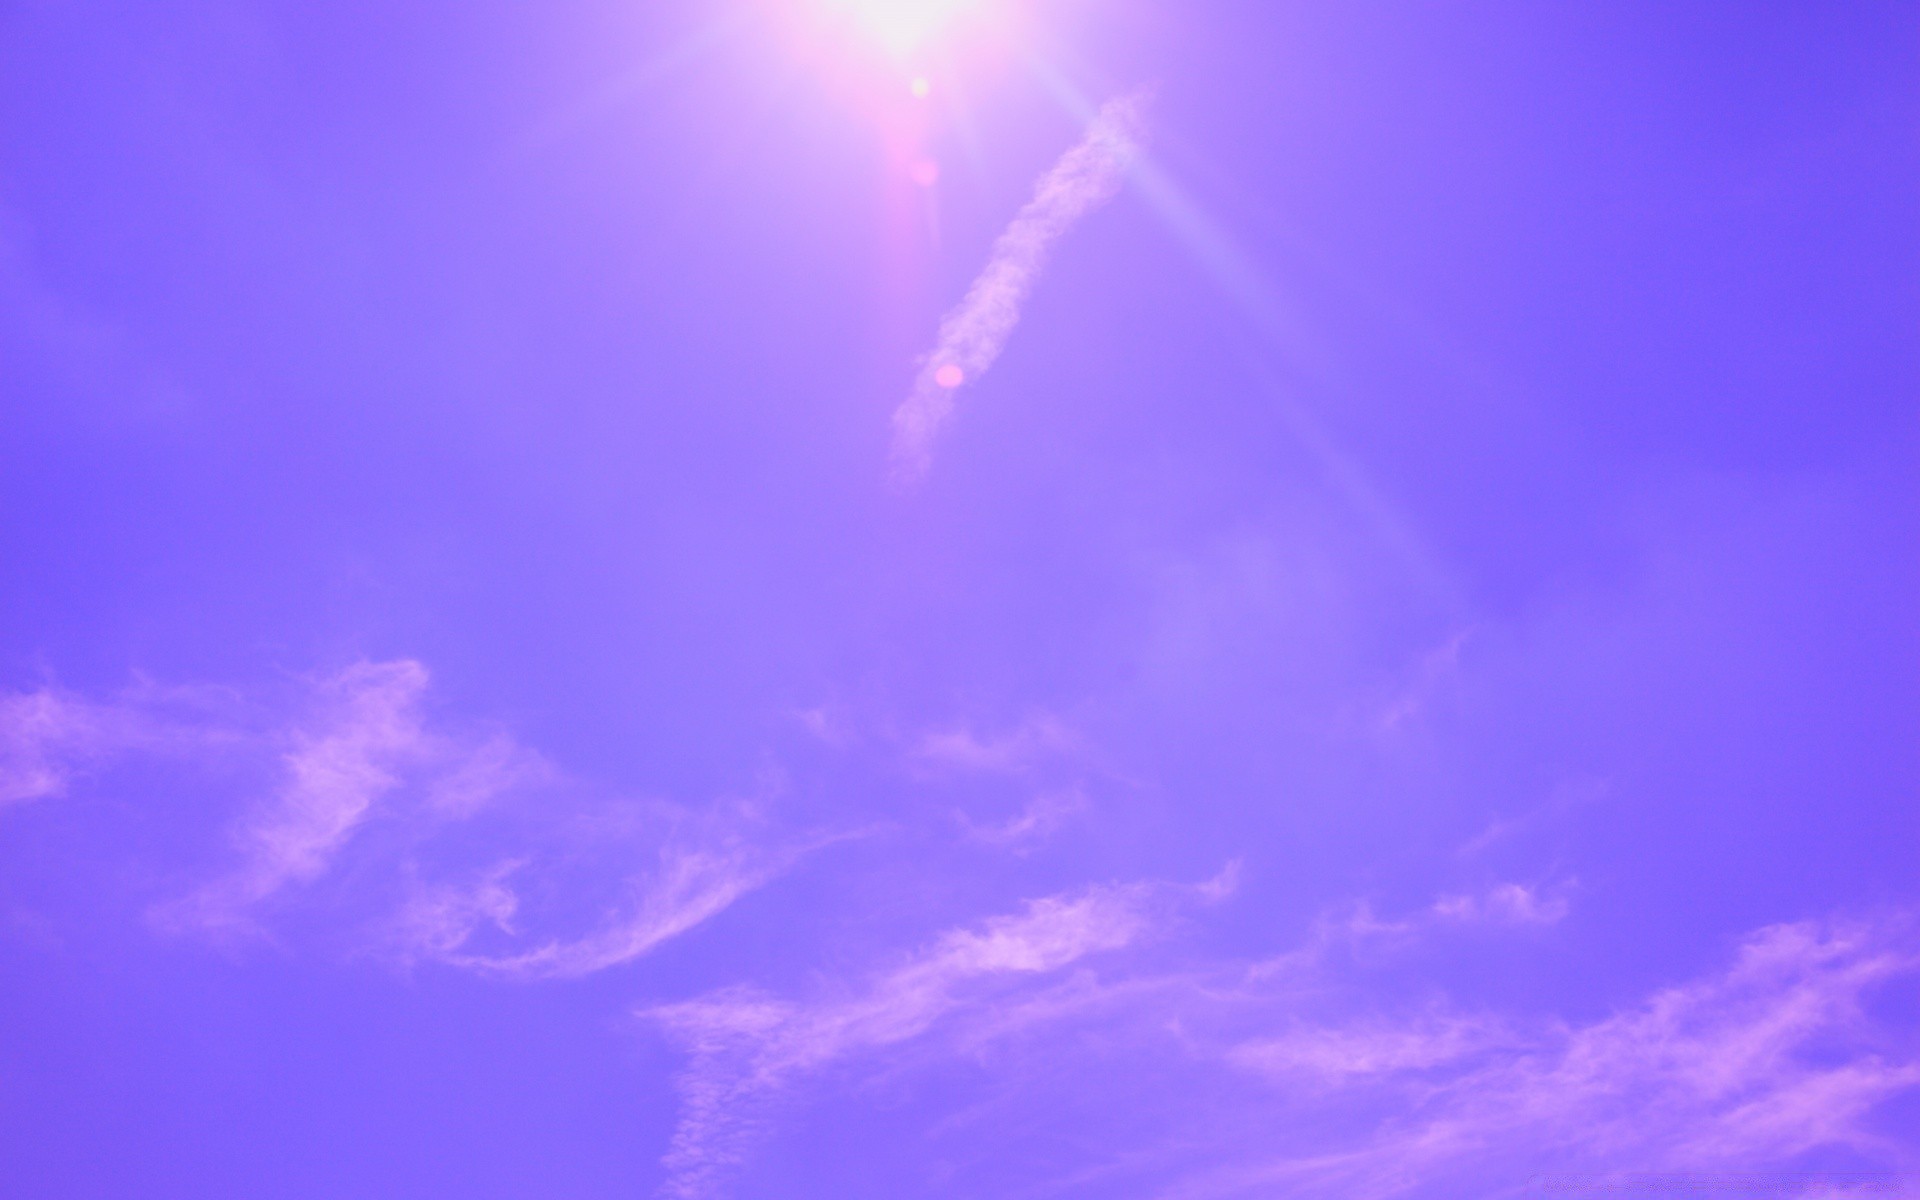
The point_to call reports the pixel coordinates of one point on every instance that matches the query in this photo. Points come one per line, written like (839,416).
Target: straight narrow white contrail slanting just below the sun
(974,333)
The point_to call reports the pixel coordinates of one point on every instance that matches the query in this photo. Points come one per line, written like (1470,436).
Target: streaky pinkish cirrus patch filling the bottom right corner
(1746,1068)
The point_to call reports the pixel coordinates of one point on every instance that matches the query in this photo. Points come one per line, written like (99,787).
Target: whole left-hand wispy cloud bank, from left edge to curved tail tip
(450,863)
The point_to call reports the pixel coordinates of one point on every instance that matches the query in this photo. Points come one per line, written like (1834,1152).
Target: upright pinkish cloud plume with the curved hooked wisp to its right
(370,756)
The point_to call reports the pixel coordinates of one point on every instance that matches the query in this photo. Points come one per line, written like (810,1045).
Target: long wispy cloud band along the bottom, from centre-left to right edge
(1228,1080)
